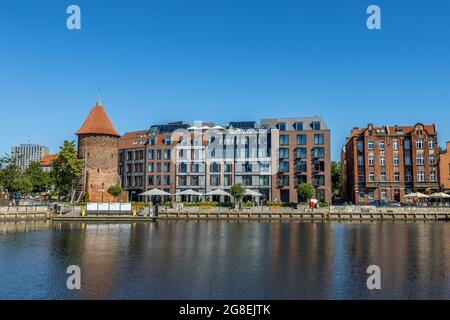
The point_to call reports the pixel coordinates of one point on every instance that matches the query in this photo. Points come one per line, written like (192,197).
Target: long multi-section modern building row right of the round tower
(272,157)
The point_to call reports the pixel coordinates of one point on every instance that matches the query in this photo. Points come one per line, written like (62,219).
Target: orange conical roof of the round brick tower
(98,122)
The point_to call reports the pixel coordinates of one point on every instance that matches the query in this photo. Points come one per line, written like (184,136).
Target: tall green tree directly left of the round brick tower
(66,169)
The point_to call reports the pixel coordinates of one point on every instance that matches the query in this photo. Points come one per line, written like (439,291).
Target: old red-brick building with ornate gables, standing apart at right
(385,163)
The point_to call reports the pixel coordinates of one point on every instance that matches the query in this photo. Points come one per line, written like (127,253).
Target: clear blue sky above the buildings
(221,60)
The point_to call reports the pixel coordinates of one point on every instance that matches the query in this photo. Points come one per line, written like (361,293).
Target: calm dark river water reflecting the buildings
(225,260)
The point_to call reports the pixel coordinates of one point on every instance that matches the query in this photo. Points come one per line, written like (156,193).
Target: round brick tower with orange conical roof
(99,152)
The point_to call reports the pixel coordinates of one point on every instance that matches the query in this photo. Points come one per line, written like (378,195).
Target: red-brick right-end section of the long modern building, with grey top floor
(303,156)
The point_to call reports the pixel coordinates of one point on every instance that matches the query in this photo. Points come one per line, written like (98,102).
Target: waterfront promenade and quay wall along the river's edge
(335,213)
